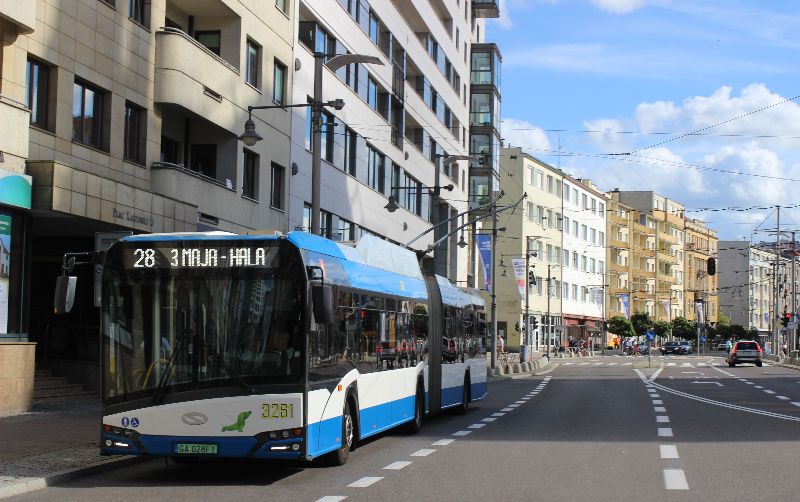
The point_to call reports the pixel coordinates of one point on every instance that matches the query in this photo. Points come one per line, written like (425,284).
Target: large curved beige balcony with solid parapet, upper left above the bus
(189,75)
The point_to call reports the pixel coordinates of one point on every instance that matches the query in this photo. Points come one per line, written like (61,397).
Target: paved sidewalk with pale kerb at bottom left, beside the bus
(50,444)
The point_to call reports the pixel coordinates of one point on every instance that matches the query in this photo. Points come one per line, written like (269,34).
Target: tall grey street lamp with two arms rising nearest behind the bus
(250,137)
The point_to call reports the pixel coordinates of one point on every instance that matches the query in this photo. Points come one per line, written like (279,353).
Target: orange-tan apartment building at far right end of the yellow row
(701,244)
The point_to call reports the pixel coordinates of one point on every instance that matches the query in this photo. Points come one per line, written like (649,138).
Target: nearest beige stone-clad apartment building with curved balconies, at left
(132,111)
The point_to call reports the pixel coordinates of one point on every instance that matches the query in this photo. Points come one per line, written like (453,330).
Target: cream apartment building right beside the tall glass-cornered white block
(535,232)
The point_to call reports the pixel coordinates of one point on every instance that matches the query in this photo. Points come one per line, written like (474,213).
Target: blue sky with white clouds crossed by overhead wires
(701,98)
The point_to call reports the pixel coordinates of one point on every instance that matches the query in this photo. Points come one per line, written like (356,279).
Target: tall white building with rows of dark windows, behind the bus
(404,119)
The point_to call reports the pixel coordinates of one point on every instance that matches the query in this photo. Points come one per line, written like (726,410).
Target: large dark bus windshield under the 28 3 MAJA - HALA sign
(174,320)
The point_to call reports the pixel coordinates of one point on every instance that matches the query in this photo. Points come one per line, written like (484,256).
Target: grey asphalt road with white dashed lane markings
(603,429)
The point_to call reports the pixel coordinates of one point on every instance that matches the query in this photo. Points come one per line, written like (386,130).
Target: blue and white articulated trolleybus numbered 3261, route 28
(277,346)
